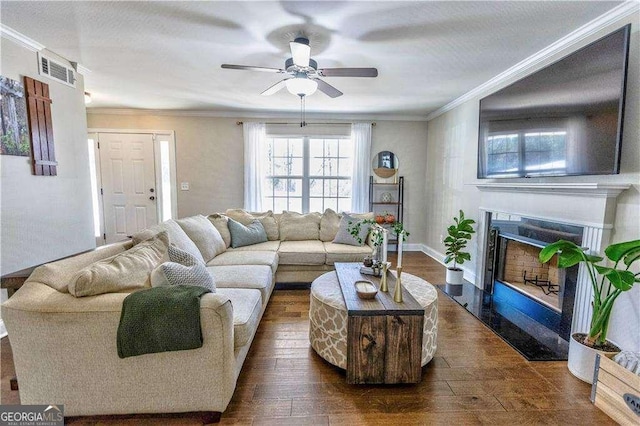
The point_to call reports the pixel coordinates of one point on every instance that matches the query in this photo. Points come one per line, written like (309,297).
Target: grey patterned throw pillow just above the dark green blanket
(184,269)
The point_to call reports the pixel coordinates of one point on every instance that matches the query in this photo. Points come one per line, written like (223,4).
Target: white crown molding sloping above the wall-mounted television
(522,68)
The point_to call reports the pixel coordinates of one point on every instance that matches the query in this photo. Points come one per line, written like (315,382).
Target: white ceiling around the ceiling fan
(167,55)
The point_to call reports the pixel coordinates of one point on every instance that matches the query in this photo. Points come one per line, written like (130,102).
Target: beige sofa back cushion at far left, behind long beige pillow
(58,274)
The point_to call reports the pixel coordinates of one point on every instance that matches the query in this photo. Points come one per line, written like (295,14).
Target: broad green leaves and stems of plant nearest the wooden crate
(607,282)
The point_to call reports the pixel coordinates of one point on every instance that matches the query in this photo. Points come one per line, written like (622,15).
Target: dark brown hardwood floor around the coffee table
(475,378)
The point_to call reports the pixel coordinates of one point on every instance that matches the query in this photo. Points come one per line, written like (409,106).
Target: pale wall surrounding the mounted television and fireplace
(451,178)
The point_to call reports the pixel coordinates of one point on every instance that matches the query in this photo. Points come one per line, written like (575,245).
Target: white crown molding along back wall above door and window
(337,116)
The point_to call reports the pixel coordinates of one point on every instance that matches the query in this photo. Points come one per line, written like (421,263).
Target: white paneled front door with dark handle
(127,168)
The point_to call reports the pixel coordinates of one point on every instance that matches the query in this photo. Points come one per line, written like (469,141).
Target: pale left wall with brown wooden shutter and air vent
(46,217)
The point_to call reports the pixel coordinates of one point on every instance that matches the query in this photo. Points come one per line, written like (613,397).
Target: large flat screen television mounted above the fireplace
(563,120)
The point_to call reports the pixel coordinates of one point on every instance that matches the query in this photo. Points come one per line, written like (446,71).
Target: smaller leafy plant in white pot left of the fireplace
(456,241)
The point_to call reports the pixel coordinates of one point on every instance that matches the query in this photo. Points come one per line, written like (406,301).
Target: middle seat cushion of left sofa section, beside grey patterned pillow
(259,277)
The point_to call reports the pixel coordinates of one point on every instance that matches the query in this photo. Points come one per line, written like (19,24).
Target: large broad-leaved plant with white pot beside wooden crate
(607,284)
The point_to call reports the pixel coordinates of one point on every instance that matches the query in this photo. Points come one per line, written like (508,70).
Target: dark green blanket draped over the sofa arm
(160,319)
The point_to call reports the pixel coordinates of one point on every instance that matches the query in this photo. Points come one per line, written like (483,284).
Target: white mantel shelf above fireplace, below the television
(605,190)
